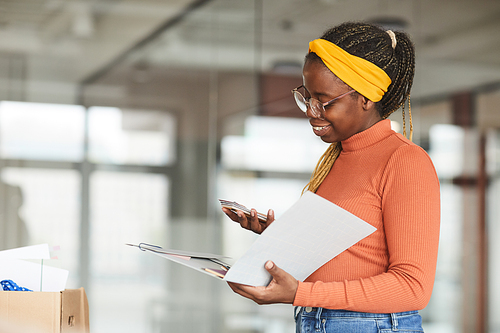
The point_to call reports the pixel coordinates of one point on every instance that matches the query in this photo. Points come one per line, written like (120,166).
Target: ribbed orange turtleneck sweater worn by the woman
(389,182)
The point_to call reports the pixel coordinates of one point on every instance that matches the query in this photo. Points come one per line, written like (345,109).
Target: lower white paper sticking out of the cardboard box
(29,275)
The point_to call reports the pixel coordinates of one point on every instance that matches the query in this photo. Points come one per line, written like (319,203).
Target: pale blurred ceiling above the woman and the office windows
(458,41)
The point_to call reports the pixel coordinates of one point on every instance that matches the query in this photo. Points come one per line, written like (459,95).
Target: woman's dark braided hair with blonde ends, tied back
(374,44)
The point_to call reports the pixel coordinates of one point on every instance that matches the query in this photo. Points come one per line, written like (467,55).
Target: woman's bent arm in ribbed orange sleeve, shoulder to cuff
(411,215)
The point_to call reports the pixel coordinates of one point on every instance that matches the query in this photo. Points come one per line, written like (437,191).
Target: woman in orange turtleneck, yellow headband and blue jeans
(354,77)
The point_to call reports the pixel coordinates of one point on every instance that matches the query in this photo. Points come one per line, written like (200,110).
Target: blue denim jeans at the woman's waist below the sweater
(319,320)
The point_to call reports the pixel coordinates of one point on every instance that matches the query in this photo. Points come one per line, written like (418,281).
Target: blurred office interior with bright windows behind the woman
(123,121)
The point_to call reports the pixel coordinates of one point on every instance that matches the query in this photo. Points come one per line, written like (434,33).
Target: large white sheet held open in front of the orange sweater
(308,235)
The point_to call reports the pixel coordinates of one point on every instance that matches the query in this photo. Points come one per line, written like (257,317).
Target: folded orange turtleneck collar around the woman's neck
(368,137)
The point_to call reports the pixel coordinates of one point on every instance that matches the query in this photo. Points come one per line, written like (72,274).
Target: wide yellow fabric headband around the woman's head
(365,77)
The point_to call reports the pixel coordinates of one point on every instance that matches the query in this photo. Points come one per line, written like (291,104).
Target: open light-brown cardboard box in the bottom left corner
(44,312)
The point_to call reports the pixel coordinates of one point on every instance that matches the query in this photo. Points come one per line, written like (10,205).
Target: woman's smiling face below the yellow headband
(343,118)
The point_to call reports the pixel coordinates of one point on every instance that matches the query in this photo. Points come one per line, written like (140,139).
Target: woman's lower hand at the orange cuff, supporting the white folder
(282,288)
